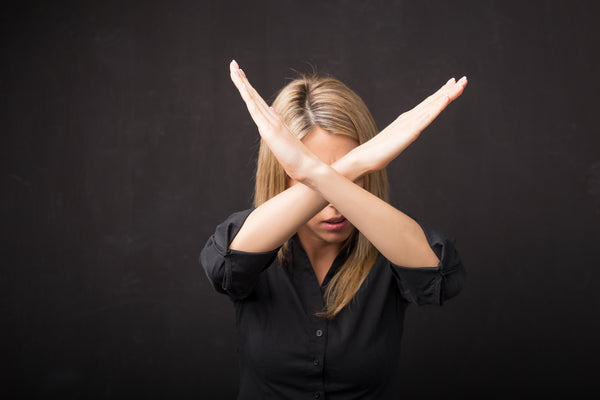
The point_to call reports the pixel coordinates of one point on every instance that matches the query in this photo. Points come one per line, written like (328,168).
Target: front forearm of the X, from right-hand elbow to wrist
(396,235)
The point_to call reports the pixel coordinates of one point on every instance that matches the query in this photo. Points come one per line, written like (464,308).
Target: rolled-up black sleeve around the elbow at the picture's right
(433,285)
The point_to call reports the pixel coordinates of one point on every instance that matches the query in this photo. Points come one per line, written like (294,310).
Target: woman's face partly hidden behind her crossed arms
(328,226)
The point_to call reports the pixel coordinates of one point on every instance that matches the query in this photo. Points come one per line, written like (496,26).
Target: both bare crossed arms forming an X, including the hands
(397,236)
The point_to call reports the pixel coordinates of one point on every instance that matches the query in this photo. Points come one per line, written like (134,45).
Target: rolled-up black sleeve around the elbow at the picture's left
(232,272)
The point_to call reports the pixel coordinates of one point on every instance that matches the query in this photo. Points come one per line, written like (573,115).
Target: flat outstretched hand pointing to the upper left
(291,153)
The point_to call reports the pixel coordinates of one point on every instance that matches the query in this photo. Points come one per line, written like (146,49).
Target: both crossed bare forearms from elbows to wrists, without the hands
(396,235)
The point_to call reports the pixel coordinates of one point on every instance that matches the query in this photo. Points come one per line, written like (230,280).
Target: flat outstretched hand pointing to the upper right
(379,151)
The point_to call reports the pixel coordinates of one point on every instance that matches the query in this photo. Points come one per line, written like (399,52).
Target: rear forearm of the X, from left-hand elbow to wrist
(278,219)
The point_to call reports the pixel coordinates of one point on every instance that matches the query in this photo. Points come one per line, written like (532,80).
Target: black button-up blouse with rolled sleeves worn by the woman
(286,352)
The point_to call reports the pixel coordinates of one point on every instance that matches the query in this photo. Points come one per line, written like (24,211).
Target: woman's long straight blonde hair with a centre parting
(305,104)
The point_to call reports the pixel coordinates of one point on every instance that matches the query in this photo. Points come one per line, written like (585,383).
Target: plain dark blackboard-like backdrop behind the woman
(124,143)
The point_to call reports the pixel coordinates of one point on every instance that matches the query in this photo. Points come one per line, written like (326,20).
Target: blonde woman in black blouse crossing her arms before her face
(322,269)
